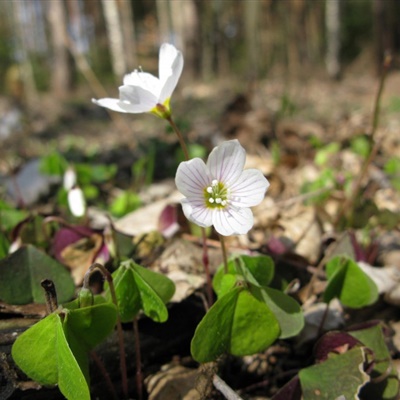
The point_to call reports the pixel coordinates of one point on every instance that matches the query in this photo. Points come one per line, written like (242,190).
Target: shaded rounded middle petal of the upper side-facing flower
(136,99)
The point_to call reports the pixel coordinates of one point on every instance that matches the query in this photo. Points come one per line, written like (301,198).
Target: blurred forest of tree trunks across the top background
(57,46)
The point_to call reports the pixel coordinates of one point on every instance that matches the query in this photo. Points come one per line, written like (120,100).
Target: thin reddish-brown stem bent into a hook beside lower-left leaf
(109,279)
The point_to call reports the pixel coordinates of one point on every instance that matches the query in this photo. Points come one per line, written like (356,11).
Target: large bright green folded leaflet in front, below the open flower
(238,324)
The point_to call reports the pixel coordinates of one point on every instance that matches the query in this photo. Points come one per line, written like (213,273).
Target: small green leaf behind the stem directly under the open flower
(258,270)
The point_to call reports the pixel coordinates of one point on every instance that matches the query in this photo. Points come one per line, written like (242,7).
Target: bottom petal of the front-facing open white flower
(233,221)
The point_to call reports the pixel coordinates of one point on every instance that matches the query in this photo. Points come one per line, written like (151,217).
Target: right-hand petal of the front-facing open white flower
(249,190)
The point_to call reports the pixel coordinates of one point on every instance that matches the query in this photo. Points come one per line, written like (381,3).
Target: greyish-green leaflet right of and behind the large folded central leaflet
(286,310)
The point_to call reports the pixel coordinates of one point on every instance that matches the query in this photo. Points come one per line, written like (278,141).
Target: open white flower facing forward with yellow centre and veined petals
(220,192)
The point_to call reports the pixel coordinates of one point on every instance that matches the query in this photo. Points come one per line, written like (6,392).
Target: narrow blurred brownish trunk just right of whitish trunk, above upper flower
(128,32)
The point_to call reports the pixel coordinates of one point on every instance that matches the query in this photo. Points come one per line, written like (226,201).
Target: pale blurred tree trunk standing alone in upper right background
(332,24)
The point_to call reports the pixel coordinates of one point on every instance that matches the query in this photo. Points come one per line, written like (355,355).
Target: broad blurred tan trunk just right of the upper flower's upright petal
(185,21)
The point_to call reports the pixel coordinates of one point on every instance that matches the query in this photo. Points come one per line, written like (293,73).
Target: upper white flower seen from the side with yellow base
(143,92)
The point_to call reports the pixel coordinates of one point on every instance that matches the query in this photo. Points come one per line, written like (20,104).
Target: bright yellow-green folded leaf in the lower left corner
(42,352)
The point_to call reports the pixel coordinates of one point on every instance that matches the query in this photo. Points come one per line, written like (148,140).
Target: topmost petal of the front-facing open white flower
(226,161)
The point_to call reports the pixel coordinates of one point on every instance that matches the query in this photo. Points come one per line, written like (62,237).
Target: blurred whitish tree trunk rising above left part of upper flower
(115,37)
